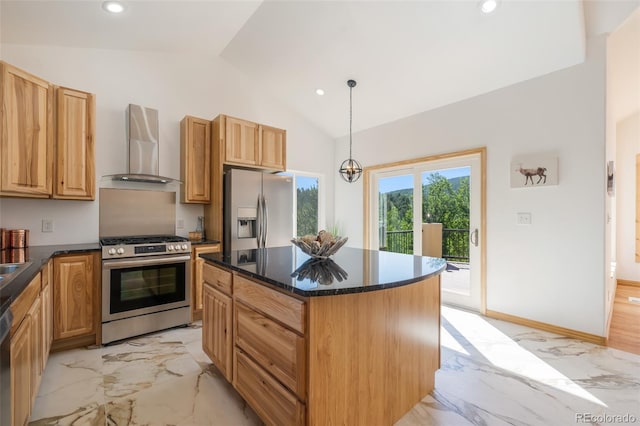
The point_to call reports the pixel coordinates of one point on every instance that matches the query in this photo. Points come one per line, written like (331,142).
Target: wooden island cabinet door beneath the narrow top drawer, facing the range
(217,327)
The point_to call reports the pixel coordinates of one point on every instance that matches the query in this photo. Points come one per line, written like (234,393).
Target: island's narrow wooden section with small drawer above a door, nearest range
(217,318)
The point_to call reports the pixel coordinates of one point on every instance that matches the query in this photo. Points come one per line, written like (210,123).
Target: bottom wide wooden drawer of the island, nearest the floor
(272,401)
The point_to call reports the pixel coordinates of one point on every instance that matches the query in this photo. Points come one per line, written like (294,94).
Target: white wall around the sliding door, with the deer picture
(551,271)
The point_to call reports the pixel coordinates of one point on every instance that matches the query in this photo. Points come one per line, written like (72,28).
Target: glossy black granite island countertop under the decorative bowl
(350,270)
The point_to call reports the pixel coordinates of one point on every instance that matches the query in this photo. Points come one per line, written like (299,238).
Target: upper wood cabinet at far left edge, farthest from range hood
(26,134)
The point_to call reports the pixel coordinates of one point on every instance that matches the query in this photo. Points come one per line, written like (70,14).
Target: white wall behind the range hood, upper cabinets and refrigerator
(176,85)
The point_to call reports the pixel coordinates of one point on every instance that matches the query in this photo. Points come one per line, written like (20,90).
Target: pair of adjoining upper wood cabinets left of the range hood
(46,138)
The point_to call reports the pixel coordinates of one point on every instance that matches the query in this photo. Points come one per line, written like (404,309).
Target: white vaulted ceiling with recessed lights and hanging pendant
(407,56)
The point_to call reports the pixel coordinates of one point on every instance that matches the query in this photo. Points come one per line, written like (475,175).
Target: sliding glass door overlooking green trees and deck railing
(433,208)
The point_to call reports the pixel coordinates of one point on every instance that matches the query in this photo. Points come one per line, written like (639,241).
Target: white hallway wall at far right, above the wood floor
(623,132)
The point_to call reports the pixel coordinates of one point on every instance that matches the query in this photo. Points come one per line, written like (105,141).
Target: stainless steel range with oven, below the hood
(145,284)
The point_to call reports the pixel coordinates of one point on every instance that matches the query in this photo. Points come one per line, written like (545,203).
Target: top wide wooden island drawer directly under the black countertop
(282,308)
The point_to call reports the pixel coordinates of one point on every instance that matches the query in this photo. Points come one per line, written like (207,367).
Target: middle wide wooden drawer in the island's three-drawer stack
(274,347)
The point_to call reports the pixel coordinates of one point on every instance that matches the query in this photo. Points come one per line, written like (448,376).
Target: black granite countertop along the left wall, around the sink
(38,256)
